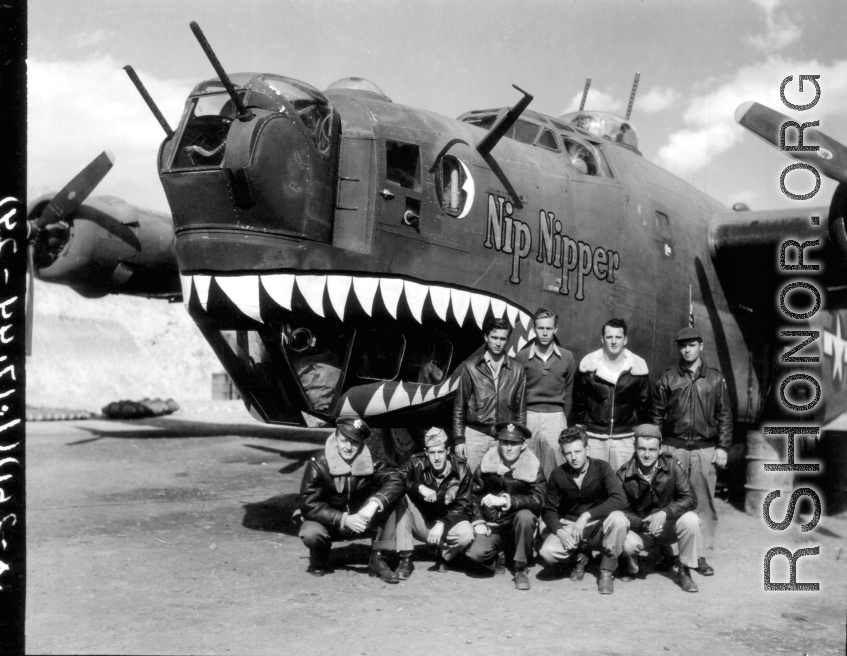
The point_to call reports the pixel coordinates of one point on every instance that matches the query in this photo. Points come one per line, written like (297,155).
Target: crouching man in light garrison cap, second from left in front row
(437,506)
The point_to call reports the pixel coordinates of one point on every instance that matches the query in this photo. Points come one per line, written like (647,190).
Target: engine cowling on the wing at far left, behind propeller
(107,246)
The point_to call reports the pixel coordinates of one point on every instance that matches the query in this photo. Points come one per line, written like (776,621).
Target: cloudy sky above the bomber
(698,61)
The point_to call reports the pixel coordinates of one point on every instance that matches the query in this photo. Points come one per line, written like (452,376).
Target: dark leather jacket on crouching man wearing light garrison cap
(453,503)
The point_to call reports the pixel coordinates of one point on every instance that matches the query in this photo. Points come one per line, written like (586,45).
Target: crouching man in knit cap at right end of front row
(661,506)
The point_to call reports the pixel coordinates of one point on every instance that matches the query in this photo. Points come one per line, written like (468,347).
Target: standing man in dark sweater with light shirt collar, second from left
(549,387)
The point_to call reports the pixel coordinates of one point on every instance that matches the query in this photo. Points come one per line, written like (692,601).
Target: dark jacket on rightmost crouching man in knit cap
(669,491)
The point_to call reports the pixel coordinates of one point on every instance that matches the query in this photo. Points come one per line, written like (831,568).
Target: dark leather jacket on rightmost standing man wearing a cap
(693,410)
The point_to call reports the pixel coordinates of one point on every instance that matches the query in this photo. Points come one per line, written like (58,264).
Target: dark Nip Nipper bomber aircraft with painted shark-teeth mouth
(340,251)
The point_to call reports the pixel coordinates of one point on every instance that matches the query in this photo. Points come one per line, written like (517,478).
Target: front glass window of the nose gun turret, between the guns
(204,138)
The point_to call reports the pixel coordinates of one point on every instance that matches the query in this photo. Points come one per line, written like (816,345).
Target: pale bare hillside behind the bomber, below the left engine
(88,352)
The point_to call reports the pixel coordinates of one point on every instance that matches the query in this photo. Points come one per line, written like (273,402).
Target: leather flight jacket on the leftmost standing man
(481,403)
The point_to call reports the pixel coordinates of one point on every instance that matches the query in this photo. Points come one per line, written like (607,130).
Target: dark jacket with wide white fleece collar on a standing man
(608,408)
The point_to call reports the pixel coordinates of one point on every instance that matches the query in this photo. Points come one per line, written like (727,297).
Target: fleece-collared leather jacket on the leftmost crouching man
(332,487)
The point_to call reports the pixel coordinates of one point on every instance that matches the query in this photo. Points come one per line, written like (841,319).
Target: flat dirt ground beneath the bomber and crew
(174,536)
